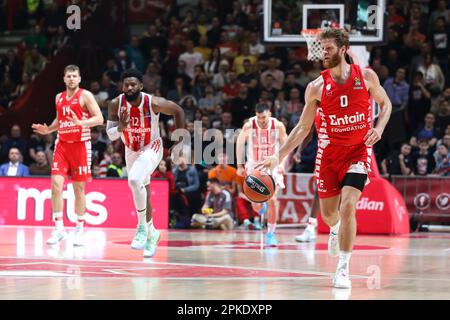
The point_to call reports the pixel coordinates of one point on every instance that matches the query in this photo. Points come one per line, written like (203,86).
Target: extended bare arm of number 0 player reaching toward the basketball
(300,131)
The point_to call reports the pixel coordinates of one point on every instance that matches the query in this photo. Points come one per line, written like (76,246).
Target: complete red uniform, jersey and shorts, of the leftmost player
(73,151)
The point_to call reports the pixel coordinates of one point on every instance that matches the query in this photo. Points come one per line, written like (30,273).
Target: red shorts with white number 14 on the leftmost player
(73,159)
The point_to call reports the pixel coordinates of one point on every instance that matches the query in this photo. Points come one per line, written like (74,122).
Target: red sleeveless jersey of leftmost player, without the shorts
(67,130)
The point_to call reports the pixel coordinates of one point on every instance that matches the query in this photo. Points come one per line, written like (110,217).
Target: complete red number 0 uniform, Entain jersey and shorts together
(345,117)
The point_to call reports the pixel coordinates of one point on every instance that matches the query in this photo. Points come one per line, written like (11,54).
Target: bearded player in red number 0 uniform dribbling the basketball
(341,95)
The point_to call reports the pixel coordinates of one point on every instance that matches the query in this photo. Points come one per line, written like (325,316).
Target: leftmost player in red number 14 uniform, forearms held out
(76,112)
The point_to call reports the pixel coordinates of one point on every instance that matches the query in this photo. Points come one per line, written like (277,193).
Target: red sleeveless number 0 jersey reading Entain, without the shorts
(345,109)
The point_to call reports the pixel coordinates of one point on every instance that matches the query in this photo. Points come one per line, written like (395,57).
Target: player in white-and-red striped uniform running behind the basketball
(263,135)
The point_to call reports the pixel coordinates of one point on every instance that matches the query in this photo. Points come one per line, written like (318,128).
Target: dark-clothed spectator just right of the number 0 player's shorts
(398,163)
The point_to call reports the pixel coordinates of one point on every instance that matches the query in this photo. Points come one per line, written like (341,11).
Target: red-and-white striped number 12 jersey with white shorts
(144,148)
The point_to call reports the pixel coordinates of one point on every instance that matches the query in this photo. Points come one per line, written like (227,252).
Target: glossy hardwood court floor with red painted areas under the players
(204,264)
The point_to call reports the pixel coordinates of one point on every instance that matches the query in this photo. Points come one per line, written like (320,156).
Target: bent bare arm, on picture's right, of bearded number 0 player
(380,96)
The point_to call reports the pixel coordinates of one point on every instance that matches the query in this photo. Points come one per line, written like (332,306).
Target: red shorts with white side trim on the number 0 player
(333,162)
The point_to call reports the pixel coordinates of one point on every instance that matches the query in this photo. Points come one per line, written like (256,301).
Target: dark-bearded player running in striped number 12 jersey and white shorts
(133,116)
